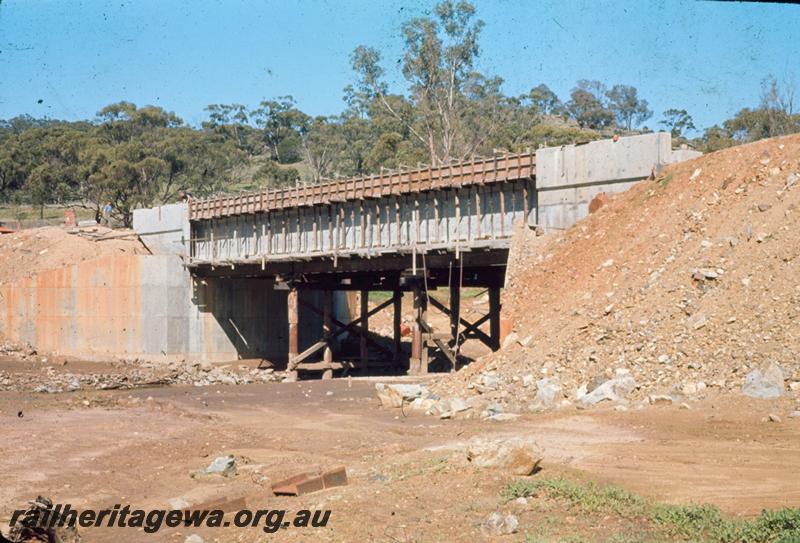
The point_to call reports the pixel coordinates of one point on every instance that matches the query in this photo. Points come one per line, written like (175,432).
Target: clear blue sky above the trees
(79,55)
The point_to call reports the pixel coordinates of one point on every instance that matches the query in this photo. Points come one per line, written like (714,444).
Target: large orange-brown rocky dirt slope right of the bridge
(689,280)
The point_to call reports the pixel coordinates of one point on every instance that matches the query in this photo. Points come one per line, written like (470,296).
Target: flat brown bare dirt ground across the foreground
(409,481)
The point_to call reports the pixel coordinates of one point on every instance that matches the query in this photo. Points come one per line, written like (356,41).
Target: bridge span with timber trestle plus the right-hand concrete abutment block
(407,230)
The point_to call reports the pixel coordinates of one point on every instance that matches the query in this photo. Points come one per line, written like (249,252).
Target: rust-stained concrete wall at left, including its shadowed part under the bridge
(148,306)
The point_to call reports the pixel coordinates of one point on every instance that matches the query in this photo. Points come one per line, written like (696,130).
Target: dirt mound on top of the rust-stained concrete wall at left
(24,253)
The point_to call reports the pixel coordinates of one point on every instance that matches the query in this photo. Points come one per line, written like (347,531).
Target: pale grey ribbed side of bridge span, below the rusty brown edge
(456,220)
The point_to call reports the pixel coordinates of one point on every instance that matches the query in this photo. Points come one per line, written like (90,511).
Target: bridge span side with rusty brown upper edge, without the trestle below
(458,207)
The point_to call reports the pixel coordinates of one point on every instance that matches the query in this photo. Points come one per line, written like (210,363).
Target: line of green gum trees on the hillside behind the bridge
(142,156)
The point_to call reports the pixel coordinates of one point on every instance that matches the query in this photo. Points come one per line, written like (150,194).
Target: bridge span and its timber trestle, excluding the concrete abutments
(408,230)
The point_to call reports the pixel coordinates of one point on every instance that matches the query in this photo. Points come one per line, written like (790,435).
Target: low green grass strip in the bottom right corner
(701,523)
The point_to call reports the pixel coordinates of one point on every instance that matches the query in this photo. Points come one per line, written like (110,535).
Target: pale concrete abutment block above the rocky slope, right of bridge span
(568,177)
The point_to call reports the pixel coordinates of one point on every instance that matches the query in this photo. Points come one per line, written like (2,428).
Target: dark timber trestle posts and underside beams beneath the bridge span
(417,274)
